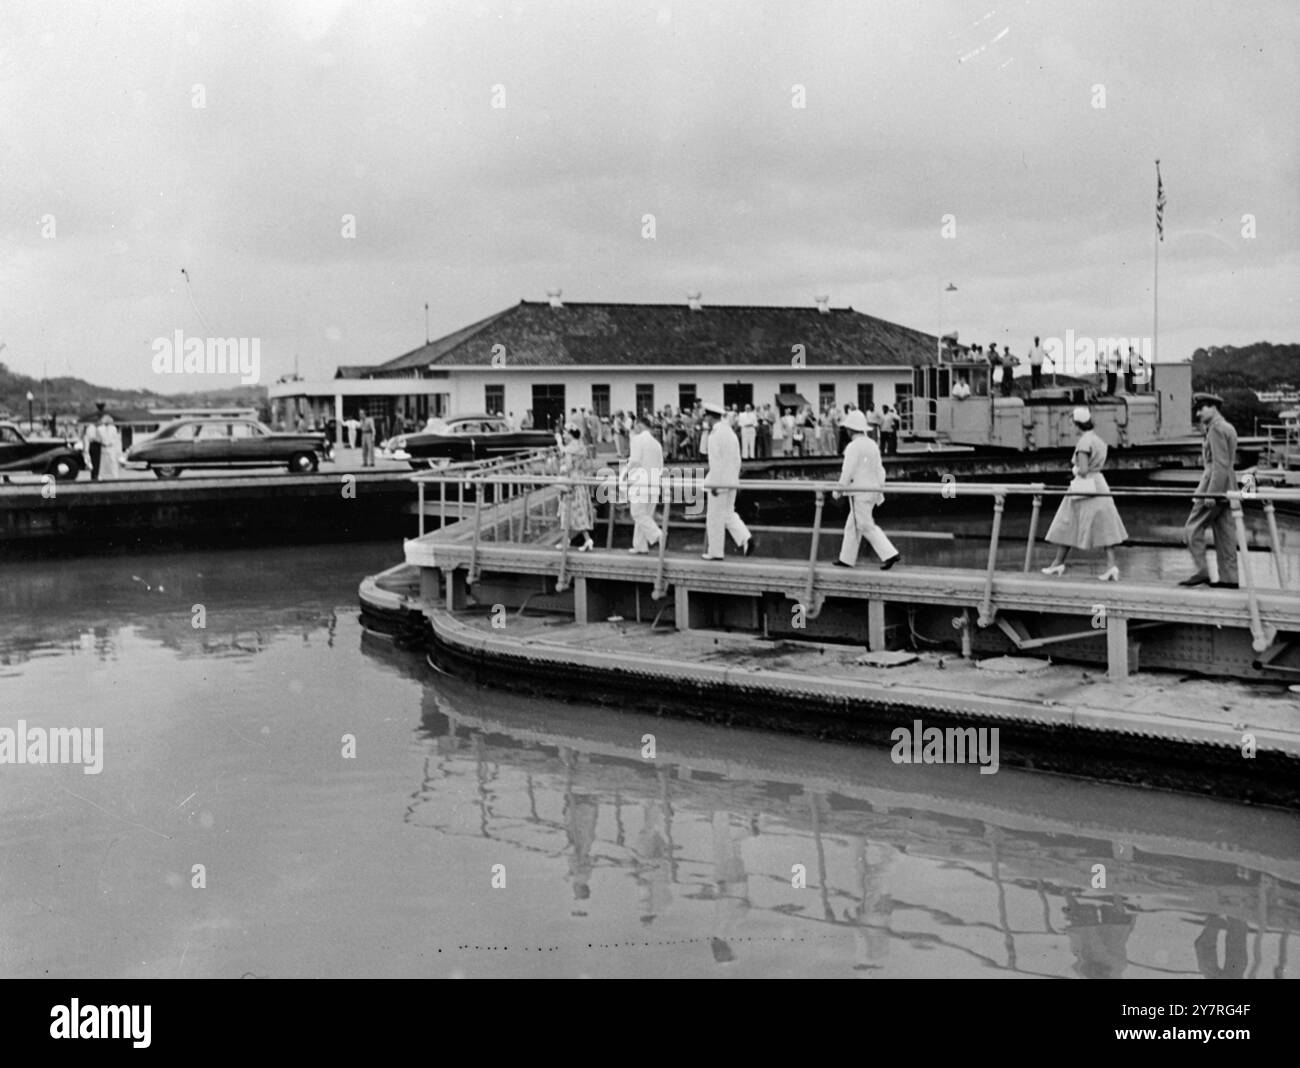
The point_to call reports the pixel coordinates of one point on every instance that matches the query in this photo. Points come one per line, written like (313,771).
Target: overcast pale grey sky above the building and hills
(614,111)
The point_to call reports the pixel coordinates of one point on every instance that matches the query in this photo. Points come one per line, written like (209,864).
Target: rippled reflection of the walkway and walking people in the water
(886,882)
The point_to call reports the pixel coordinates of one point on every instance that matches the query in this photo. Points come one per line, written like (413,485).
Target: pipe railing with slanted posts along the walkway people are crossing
(525,477)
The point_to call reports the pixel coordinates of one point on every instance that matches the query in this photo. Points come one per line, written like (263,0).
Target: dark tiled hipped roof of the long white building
(536,335)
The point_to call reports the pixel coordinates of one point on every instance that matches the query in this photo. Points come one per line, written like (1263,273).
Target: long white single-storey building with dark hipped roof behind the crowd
(549,358)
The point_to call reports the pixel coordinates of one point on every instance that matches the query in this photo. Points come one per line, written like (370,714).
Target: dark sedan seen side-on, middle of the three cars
(227,444)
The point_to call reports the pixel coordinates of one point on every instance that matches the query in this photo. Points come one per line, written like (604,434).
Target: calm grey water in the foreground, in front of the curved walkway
(223,748)
